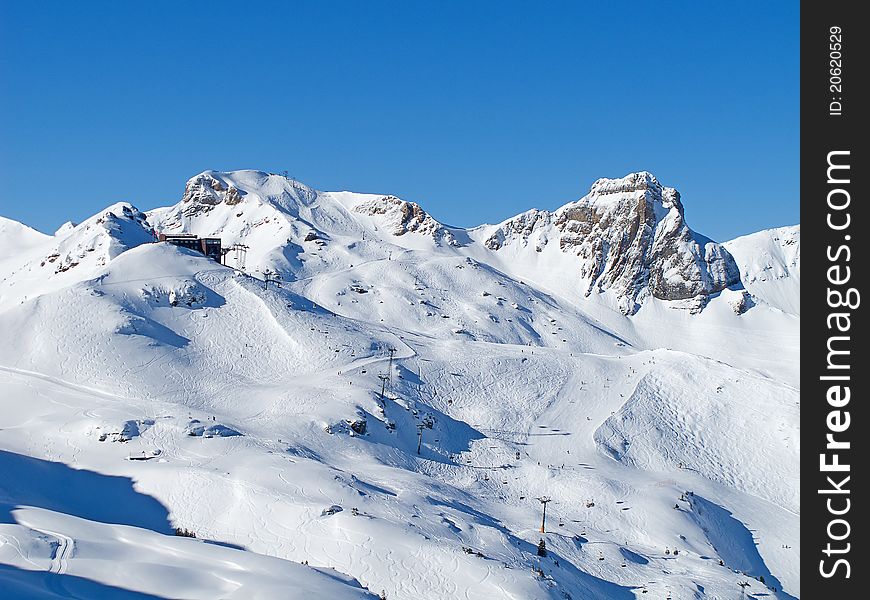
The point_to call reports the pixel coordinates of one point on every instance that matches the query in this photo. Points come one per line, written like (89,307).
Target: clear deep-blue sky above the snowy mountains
(476,110)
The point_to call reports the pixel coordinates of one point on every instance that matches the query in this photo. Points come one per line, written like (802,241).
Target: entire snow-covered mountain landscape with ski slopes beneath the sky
(146,390)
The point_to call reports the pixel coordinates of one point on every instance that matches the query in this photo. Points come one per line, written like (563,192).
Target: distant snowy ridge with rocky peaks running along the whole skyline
(627,239)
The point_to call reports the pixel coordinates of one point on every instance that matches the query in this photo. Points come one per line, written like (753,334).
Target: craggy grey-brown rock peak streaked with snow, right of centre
(631,238)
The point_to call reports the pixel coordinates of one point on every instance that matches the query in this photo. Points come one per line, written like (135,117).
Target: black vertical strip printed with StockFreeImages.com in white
(822,133)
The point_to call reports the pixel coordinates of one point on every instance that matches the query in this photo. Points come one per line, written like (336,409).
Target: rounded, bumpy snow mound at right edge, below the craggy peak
(695,417)
